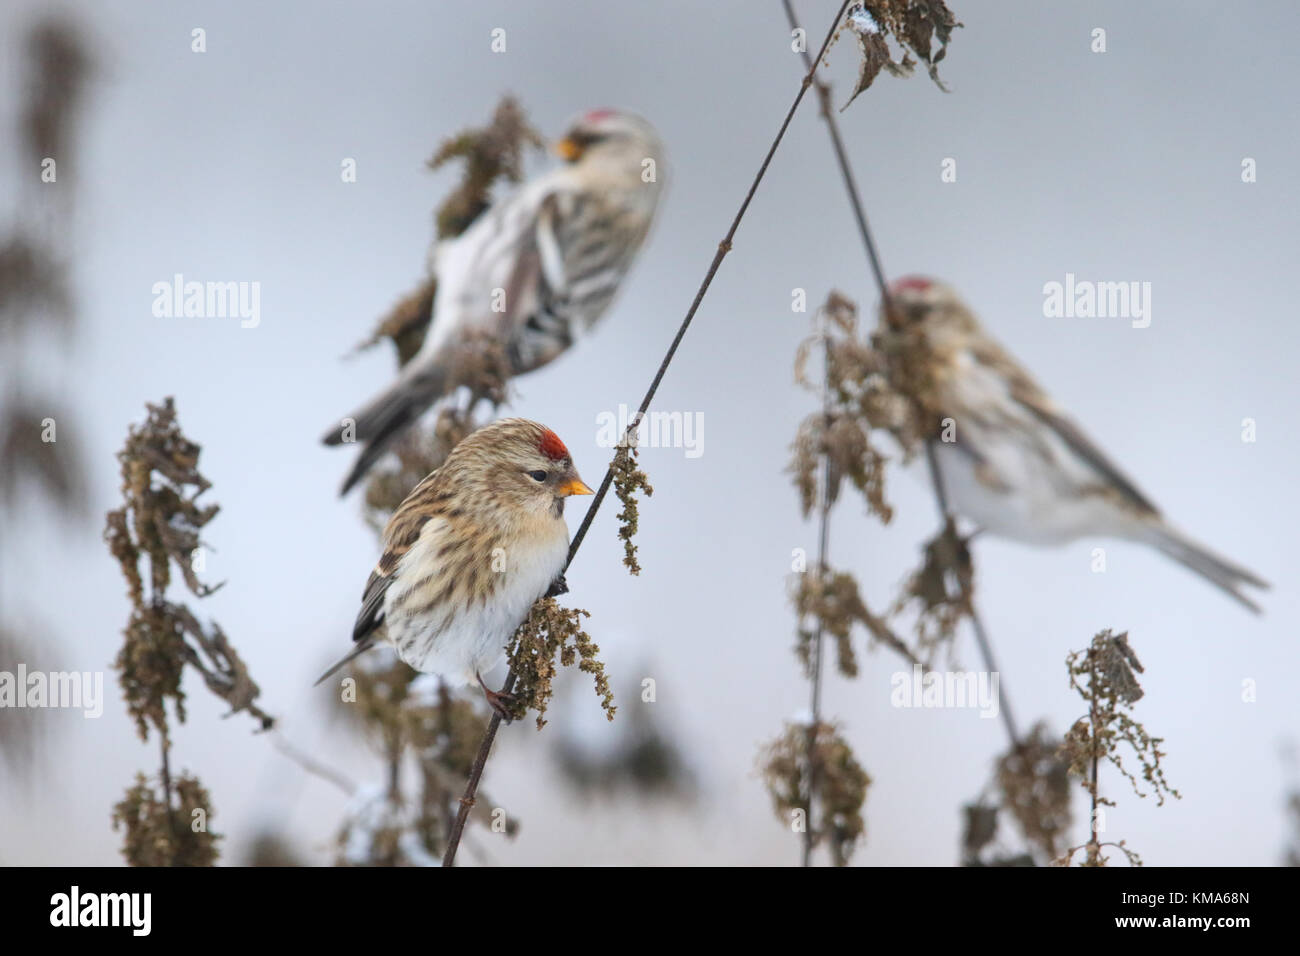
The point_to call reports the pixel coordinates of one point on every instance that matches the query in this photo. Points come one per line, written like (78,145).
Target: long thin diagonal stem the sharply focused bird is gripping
(467,802)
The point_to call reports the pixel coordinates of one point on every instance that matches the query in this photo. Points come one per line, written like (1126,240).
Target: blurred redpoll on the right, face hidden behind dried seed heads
(1019,466)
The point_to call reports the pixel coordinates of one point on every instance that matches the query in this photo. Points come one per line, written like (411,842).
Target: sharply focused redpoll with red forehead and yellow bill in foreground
(469,553)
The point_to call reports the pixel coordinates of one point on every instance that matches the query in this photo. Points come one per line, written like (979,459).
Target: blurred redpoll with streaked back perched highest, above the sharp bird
(531,274)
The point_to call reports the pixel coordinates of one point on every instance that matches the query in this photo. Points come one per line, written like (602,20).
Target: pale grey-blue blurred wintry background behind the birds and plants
(1124,166)
